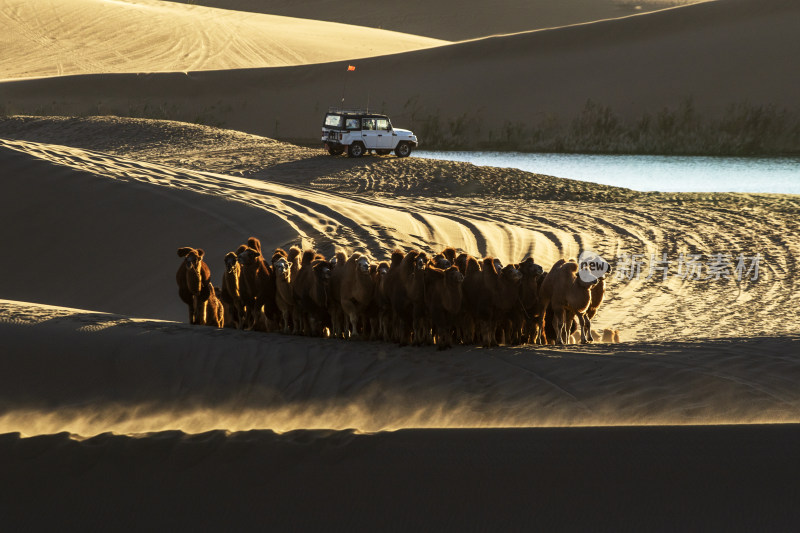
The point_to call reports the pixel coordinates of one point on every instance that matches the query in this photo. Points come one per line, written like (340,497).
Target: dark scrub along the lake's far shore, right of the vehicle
(743,129)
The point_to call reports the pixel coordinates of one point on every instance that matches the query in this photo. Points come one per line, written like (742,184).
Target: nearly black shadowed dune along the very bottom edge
(600,479)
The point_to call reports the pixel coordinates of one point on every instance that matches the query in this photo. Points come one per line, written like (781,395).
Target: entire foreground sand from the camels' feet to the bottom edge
(160,401)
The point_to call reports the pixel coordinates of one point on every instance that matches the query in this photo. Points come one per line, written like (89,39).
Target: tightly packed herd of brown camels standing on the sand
(414,298)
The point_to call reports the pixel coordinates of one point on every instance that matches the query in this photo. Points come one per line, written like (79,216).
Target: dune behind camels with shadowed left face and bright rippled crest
(123,221)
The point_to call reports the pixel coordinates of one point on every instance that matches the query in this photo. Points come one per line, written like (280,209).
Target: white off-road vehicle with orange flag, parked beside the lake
(358,131)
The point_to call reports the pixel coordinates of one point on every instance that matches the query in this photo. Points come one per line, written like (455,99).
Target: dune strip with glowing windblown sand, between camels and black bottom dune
(87,373)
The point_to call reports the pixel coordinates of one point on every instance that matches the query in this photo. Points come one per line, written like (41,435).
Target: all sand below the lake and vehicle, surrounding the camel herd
(651,423)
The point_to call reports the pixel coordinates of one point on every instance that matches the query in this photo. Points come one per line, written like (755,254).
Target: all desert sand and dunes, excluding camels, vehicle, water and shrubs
(117,414)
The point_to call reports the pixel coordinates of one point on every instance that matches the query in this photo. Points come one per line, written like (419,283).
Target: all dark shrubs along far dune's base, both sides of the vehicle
(743,129)
